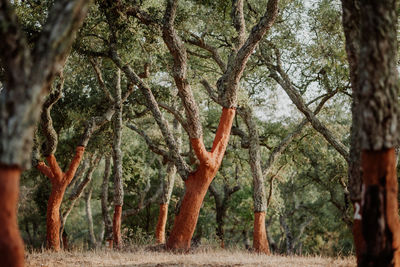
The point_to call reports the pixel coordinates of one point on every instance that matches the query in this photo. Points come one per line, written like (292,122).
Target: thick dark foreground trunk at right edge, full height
(377,94)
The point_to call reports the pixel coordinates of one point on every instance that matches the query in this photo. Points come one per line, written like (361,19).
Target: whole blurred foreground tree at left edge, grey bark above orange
(22,97)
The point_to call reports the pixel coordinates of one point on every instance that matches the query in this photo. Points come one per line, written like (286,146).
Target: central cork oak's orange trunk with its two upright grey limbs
(197,182)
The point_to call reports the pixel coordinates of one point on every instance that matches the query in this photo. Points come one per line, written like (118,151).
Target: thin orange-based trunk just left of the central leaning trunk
(165,198)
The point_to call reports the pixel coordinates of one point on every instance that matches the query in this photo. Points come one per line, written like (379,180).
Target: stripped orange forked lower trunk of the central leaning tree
(198,182)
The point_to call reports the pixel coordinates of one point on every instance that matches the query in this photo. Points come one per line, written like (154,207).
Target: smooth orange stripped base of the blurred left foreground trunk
(11,244)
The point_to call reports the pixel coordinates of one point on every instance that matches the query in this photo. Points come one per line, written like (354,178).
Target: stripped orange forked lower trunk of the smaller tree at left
(59,182)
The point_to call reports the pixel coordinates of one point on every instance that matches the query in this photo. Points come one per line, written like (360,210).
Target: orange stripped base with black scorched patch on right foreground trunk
(380,223)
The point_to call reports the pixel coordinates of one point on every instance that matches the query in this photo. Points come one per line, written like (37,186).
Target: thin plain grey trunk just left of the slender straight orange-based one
(104,200)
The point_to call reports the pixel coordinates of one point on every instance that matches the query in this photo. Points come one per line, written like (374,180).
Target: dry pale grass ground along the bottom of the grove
(197,258)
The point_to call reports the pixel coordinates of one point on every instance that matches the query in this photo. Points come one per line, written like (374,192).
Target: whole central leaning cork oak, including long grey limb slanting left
(227,87)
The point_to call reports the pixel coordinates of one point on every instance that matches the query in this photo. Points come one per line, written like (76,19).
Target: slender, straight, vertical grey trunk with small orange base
(117,158)
